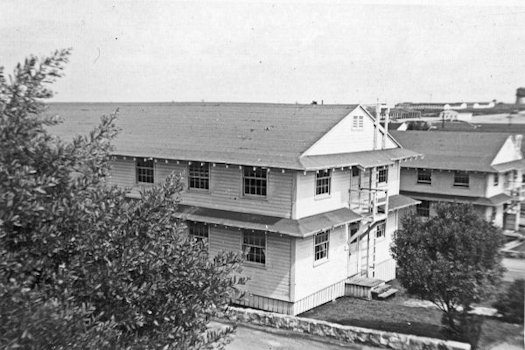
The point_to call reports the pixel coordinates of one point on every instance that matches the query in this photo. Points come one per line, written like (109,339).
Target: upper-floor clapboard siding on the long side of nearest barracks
(225,191)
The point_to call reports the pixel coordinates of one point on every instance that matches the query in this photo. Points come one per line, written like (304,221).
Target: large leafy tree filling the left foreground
(81,265)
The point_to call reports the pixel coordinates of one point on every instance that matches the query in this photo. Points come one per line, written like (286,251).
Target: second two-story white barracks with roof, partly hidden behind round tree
(484,169)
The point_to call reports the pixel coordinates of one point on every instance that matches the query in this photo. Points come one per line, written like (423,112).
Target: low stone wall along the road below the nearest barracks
(339,332)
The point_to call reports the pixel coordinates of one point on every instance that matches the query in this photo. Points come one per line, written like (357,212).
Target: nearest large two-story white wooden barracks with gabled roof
(309,193)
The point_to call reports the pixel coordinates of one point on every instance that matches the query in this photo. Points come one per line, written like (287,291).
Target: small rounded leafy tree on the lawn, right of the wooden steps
(452,259)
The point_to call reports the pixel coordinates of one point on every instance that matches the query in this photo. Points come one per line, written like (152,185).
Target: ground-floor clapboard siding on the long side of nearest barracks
(271,280)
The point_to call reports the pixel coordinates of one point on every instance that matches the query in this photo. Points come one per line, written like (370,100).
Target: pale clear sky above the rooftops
(274,51)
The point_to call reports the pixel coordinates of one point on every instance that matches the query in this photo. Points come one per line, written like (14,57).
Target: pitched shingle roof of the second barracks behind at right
(465,151)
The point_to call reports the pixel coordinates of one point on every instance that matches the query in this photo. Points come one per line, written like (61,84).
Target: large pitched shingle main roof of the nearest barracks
(272,135)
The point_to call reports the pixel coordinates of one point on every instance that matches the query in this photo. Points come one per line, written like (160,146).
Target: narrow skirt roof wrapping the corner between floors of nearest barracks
(296,228)
